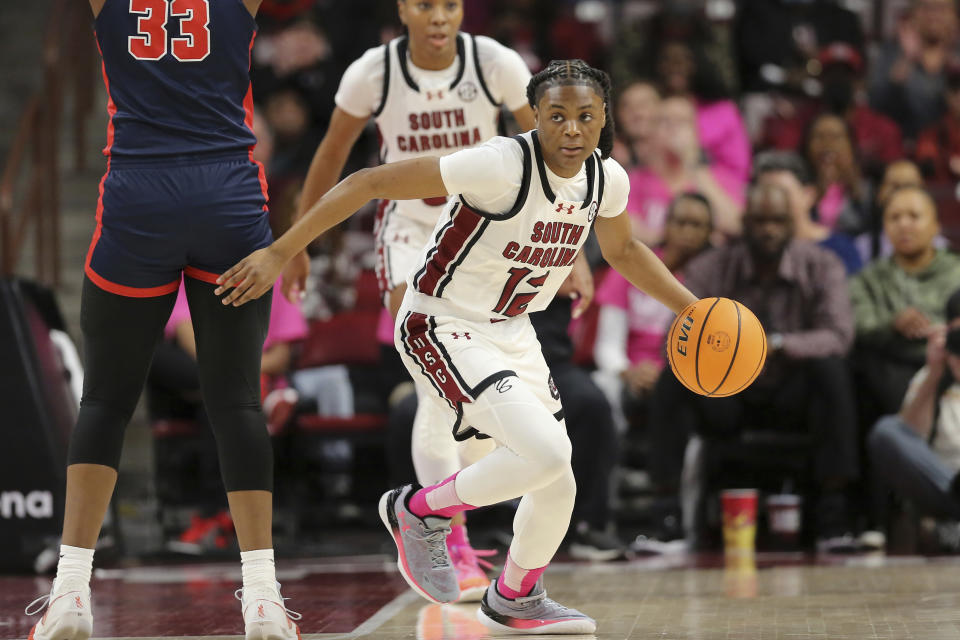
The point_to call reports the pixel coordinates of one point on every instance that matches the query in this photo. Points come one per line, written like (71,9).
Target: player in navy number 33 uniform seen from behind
(181,195)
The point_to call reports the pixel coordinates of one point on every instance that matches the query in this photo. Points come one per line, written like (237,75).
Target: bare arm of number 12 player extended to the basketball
(638,264)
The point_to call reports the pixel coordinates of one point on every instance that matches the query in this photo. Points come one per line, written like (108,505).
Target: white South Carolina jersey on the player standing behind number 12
(414,122)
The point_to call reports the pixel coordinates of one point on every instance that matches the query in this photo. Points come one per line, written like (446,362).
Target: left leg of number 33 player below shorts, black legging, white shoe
(120,334)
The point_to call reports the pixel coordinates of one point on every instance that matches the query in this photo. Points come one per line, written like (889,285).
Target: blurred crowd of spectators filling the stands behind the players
(801,156)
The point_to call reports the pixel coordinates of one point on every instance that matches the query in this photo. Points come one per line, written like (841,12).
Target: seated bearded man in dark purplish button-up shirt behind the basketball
(797,290)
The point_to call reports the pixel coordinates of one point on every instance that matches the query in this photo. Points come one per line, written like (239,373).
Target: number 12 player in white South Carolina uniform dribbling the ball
(503,246)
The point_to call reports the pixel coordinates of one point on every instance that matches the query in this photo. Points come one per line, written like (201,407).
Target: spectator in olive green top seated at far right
(897,300)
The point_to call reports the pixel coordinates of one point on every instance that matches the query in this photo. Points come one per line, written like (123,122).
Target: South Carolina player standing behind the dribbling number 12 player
(431,92)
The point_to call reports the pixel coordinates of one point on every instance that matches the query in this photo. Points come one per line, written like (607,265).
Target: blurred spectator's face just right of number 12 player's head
(636,115)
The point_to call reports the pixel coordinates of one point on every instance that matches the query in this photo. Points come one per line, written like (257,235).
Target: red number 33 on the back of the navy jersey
(150,43)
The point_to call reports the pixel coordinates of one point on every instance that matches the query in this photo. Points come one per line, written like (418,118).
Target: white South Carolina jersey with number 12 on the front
(504,265)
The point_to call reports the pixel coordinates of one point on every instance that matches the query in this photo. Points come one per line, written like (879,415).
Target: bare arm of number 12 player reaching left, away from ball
(407,180)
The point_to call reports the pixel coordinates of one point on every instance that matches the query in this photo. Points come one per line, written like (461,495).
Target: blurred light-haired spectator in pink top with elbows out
(677,165)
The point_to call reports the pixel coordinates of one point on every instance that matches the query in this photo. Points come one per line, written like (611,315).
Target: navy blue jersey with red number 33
(177,76)
